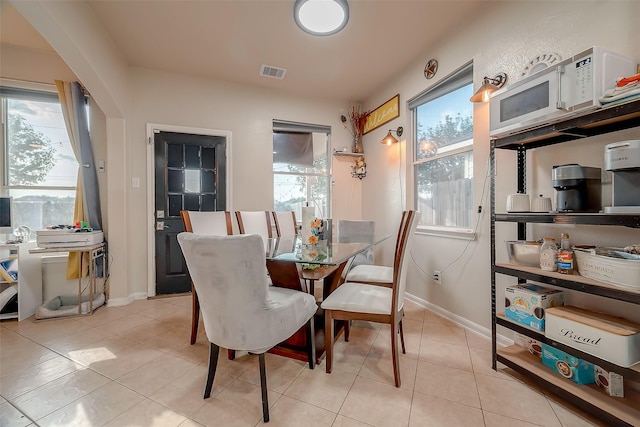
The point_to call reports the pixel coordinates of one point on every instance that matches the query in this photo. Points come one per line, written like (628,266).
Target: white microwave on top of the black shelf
(572,86)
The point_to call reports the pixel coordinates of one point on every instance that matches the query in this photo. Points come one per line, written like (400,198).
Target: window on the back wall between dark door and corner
(301,168)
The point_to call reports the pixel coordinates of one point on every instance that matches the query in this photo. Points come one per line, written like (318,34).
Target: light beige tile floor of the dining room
(133,366)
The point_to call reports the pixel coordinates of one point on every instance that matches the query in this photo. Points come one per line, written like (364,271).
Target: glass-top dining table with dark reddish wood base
(292,264)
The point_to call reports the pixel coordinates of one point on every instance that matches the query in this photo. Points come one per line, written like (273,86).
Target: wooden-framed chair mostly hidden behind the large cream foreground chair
(214,223)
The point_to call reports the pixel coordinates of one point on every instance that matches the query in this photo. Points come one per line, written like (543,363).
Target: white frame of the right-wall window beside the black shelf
(459,78)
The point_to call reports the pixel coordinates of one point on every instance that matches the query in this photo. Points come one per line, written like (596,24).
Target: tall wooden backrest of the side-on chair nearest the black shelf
(406,232)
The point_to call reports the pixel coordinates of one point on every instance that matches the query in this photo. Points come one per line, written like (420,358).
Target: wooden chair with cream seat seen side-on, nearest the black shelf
(374,303)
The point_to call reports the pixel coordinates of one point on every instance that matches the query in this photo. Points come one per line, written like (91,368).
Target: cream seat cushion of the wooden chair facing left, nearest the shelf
(359,298)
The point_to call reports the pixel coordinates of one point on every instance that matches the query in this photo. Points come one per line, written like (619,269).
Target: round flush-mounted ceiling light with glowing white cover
(321,17)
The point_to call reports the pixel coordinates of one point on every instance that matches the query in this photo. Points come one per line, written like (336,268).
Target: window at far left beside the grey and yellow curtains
(39,166)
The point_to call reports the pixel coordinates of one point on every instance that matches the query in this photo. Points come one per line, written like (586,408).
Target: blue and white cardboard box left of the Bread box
(526,304)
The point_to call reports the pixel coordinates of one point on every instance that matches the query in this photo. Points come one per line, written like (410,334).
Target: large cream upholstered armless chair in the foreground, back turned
(239,309)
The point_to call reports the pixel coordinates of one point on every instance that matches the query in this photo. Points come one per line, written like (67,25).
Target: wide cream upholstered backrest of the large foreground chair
(228,274)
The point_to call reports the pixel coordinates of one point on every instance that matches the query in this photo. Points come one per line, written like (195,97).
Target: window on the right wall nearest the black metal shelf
(443,152)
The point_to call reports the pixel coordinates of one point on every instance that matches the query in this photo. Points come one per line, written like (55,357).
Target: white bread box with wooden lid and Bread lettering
(611,338)
